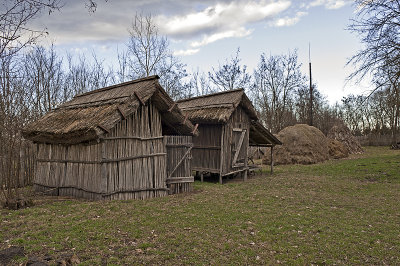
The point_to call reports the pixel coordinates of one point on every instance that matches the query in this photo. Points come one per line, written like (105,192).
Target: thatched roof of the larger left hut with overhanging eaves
(90,115)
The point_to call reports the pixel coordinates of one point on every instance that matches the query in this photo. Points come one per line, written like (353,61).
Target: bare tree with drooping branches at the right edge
(378,25)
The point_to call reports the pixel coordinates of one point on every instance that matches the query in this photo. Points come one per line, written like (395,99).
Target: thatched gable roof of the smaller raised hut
(217,107)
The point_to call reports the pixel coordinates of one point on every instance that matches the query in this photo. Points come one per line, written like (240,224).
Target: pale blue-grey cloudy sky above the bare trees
(204,33)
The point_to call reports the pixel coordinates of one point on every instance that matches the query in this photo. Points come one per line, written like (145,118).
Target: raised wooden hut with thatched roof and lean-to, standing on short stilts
(228,125)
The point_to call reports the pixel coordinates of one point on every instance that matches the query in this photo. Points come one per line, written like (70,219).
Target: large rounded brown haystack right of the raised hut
(302,144)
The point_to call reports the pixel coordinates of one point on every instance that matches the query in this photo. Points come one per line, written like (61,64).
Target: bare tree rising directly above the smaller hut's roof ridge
(230,75)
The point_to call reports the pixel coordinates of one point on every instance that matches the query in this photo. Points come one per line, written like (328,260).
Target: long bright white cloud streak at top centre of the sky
(219,21)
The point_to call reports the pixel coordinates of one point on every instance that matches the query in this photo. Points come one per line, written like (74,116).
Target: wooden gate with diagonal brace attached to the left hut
(178,148)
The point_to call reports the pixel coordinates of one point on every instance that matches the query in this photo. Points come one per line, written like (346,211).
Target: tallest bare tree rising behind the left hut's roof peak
(148,54)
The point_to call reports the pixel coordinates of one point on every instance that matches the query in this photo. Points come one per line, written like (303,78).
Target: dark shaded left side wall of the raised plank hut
(207,149)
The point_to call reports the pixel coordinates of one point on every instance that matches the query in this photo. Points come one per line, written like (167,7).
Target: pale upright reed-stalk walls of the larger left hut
(128,163)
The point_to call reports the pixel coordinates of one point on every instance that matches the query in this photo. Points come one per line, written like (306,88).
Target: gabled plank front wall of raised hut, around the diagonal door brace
(239,119)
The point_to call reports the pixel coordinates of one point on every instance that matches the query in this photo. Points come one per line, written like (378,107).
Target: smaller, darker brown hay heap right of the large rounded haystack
(343,134)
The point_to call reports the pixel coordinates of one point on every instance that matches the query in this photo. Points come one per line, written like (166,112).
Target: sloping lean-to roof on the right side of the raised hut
(260,136)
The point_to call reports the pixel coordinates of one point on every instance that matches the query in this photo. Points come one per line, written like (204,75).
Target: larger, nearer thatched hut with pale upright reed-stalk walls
(108,143)
